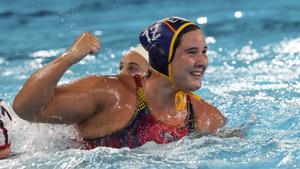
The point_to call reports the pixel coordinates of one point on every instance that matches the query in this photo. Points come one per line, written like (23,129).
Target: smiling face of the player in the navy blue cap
(190,61)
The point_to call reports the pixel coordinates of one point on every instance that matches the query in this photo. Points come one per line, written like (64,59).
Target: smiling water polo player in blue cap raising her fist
(125,110)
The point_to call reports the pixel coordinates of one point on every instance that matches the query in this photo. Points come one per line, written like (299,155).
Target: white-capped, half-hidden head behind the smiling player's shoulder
(132,63)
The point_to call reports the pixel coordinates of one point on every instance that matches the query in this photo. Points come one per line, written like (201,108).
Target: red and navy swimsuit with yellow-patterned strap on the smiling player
(143,127)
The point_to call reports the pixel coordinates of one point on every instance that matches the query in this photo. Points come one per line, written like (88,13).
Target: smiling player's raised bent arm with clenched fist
(41,100)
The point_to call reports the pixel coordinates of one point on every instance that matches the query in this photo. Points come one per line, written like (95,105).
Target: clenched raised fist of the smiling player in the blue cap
(86,43)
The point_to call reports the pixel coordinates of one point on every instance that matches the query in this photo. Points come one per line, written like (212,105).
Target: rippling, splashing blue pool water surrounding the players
(253,78)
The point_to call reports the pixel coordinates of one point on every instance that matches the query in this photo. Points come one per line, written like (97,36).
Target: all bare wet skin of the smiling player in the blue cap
(101,105)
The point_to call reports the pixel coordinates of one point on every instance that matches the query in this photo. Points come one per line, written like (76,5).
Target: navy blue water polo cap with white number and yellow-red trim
(159,39)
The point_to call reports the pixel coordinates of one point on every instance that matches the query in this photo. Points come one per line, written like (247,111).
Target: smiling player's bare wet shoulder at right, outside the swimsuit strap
(208,117)
